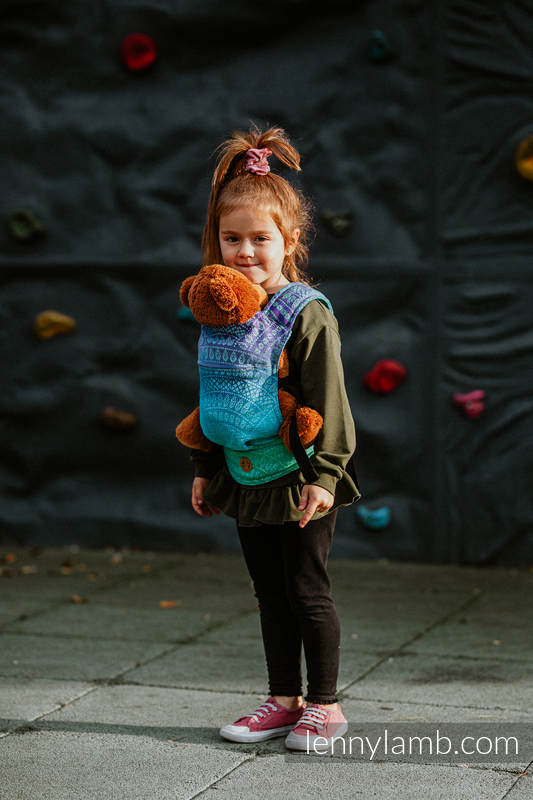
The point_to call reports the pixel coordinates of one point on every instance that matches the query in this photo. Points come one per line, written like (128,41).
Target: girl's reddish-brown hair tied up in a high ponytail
(233,186)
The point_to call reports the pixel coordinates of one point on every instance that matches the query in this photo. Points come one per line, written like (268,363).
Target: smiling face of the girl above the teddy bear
(252,243)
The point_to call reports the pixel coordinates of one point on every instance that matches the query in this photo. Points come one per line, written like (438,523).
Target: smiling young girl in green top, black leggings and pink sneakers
(258,224)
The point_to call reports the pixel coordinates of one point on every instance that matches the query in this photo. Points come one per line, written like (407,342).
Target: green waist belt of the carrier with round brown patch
(262,463)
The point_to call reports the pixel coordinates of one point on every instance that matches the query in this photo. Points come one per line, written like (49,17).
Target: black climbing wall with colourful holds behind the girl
(413,120)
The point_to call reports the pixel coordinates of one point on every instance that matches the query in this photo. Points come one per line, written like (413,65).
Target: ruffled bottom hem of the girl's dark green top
(269,504)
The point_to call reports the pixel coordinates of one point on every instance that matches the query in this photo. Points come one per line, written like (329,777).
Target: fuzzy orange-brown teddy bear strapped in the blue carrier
(221,296)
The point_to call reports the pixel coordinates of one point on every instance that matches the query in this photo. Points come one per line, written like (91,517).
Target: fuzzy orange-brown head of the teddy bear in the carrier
(221,296)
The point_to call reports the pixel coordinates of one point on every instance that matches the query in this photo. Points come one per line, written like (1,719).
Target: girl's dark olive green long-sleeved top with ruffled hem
(316,379)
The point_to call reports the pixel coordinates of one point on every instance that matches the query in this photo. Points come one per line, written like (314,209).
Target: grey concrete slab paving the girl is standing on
(117,669)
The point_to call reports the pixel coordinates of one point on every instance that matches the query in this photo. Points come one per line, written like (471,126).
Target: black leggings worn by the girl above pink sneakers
(288,567)
